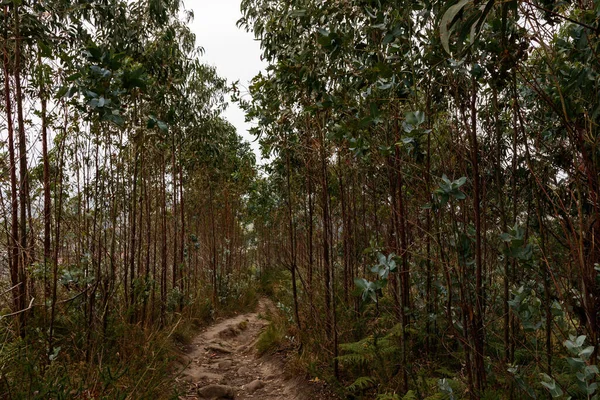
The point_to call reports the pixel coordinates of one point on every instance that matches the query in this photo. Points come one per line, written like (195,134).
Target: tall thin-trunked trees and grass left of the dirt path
(122,192)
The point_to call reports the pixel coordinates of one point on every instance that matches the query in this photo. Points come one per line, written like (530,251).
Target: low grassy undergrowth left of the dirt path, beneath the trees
(117,360)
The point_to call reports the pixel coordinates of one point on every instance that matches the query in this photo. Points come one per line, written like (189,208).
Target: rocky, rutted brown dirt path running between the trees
(222,362)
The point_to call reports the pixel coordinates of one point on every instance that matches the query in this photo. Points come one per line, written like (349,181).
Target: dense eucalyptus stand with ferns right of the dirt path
(434,181)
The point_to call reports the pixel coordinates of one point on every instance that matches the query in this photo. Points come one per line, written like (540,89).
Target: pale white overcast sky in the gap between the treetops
(233,51)
